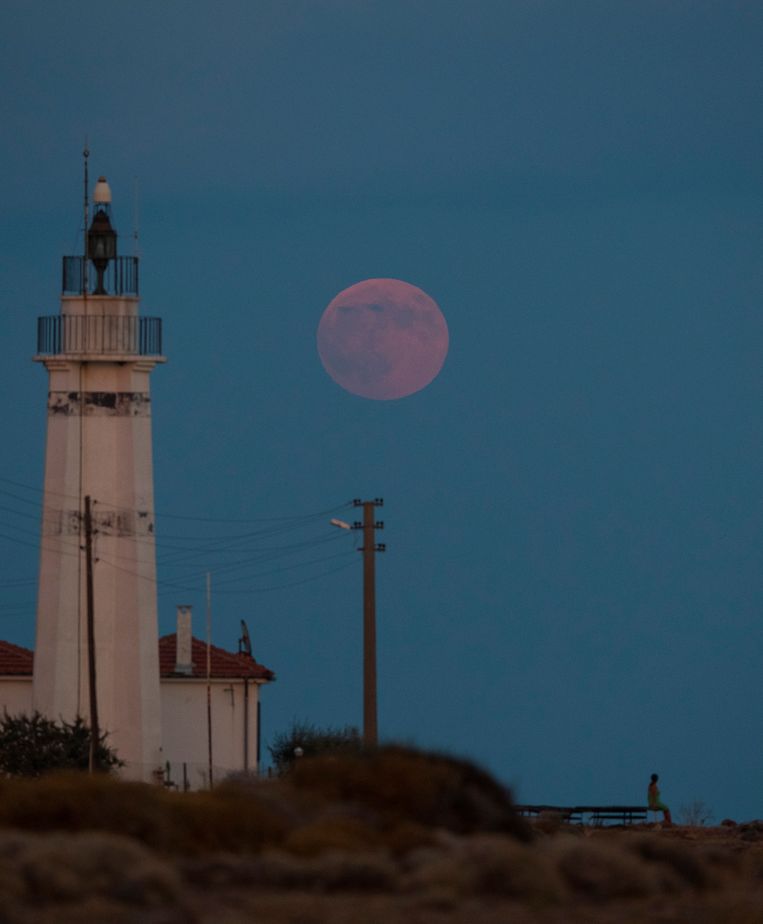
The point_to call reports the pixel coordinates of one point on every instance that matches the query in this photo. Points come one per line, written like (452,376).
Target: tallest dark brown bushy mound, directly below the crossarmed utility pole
(427,789)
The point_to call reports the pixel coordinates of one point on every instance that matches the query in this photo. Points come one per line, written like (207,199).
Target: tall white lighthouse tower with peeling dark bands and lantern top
(96,651)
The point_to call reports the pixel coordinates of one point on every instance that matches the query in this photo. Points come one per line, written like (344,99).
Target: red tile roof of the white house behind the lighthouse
(18,661)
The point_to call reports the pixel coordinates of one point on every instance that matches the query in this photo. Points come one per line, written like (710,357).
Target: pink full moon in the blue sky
(382,339)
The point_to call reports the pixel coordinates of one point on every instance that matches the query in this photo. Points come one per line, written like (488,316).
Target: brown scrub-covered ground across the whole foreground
(344,846)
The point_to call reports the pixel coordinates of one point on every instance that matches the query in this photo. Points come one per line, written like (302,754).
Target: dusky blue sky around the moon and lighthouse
(571,593)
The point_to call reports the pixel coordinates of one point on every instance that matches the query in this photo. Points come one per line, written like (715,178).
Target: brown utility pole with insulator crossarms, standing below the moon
(369,549)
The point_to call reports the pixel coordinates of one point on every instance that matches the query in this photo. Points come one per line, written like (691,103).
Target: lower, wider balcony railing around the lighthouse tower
(100,334)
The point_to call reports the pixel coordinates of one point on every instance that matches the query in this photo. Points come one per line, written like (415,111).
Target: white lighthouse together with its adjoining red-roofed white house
(97,652)
